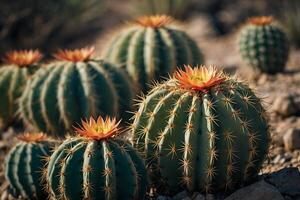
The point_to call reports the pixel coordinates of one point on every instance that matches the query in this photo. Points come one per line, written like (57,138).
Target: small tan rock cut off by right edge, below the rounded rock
(291,139)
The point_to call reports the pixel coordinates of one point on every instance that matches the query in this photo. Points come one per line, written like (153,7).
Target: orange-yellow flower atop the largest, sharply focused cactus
(199,78)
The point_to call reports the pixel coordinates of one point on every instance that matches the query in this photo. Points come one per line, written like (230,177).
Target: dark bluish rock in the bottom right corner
(287,181)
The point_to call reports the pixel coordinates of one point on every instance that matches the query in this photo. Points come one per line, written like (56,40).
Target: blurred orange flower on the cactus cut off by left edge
(23,58)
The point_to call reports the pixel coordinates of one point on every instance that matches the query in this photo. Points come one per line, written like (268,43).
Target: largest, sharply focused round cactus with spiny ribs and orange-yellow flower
(201,130)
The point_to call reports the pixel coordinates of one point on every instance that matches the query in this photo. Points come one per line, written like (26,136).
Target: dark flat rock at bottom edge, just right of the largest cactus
(258,191)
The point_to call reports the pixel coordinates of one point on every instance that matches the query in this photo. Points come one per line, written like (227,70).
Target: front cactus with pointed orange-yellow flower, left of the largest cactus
(96,165)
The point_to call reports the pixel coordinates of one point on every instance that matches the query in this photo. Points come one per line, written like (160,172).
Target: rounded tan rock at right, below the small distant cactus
(284,105)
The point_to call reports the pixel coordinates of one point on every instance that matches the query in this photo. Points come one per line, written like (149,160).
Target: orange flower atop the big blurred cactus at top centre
(155,21)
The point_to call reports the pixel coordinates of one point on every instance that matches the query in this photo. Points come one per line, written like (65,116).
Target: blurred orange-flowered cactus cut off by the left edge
(13,77)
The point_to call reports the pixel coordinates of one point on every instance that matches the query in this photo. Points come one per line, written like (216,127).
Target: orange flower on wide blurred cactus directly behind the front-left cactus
(76,55)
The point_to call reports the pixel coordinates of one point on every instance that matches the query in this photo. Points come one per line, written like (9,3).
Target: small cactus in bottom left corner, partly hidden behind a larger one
(24,164)
